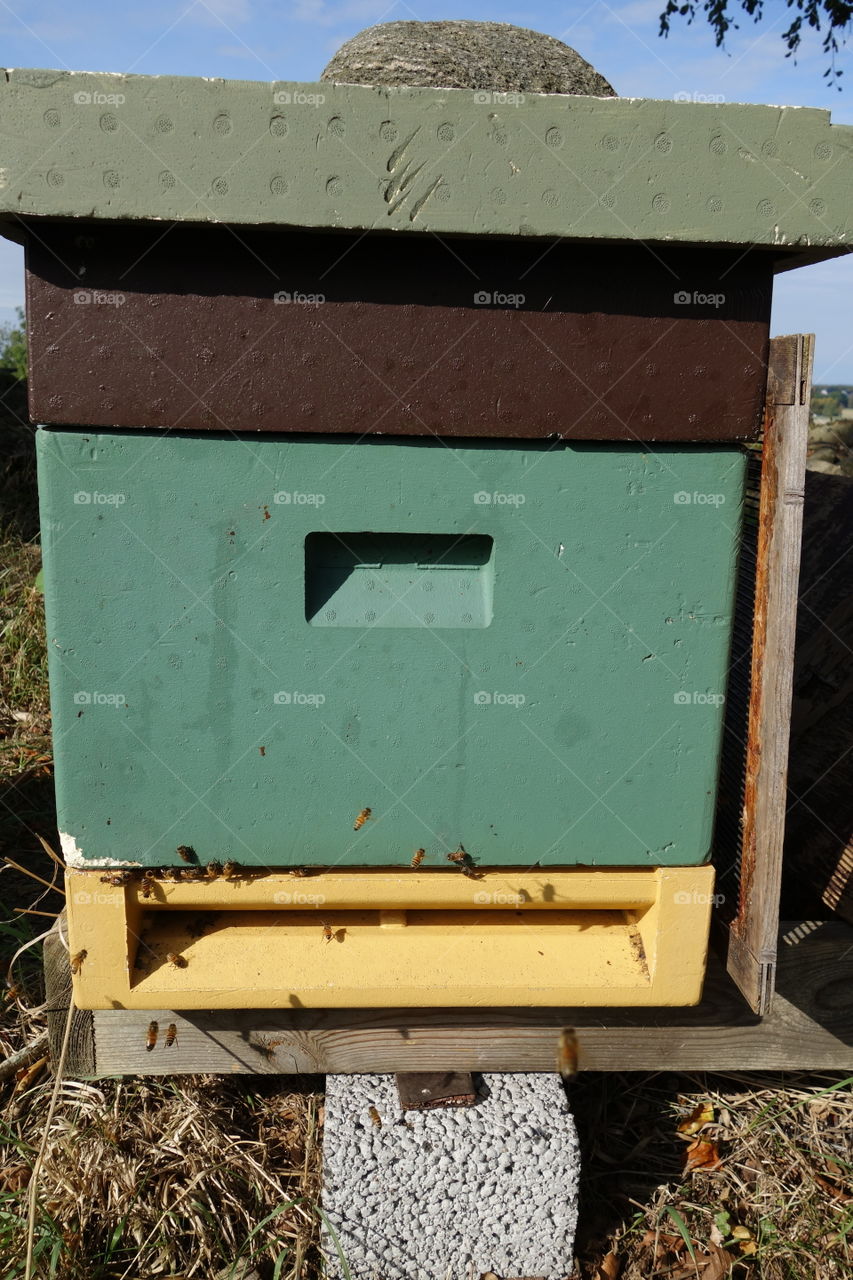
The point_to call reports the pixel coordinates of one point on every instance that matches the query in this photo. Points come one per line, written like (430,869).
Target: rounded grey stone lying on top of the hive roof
(481,56)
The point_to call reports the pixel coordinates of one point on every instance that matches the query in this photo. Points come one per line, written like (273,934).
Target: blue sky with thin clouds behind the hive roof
(261,40)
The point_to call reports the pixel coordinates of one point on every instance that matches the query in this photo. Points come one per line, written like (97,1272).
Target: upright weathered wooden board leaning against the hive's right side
(752,934)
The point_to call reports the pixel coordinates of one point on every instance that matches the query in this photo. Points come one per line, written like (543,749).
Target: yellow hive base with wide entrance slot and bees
(391,940)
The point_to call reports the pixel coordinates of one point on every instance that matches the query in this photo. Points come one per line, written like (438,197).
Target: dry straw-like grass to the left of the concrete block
(167,1178)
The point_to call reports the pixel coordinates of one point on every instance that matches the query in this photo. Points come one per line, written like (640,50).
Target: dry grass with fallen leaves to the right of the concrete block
(781,1208)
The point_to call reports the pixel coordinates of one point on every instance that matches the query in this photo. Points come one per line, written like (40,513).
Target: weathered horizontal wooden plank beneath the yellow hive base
(810,1028)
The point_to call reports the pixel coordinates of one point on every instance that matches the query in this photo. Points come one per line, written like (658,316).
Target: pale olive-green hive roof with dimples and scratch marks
(449,162)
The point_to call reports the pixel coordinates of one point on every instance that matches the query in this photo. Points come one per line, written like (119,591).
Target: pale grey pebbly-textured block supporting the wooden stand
(451,1192)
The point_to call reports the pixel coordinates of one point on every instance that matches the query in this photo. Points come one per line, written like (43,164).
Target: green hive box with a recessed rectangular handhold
(527,655)
